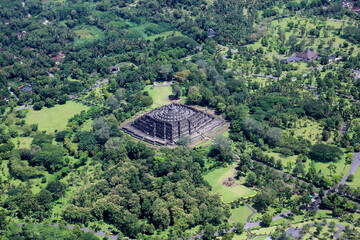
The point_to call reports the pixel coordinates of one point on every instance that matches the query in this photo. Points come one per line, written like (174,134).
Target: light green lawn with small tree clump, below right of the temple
(229,194)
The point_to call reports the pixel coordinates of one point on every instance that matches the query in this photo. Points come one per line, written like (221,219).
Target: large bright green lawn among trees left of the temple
(55,118)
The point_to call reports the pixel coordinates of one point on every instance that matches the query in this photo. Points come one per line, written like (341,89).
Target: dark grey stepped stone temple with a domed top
(163,126)
